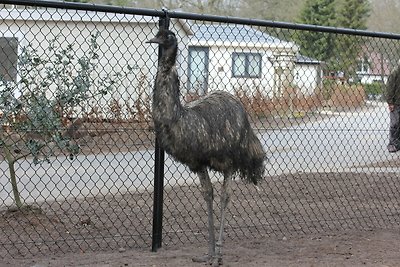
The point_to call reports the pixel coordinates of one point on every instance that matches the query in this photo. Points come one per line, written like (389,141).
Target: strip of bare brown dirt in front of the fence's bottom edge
(350,248)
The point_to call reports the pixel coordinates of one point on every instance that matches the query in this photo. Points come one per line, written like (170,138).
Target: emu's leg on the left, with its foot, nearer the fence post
(208,195)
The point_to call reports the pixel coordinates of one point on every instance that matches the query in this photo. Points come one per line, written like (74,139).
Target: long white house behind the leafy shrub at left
(121,39)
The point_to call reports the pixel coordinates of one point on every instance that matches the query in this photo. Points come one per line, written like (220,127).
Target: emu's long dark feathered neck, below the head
(167,107)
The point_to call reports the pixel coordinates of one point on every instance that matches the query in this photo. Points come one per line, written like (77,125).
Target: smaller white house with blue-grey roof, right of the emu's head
(239,57)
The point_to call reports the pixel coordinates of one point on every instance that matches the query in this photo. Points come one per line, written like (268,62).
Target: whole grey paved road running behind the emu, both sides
(340,142)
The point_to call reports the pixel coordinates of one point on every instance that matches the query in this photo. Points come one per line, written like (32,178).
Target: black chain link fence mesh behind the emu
(77,141)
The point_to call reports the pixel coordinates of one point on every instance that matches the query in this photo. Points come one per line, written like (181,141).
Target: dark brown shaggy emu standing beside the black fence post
(212,132)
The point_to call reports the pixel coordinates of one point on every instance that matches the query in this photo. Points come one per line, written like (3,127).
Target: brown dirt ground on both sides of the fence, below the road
(322,219)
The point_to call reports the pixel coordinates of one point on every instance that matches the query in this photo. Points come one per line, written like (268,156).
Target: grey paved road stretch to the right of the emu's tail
(340,142)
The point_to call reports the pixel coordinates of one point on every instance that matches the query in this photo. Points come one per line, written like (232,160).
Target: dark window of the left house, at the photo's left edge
(8,58)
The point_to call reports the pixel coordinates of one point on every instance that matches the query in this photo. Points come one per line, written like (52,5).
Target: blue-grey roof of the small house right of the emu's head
(234,34)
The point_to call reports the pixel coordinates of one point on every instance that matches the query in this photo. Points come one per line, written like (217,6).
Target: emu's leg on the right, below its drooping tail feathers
(225,196)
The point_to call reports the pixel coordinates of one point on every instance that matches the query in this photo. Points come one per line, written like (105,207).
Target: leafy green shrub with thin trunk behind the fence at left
(35,122)
